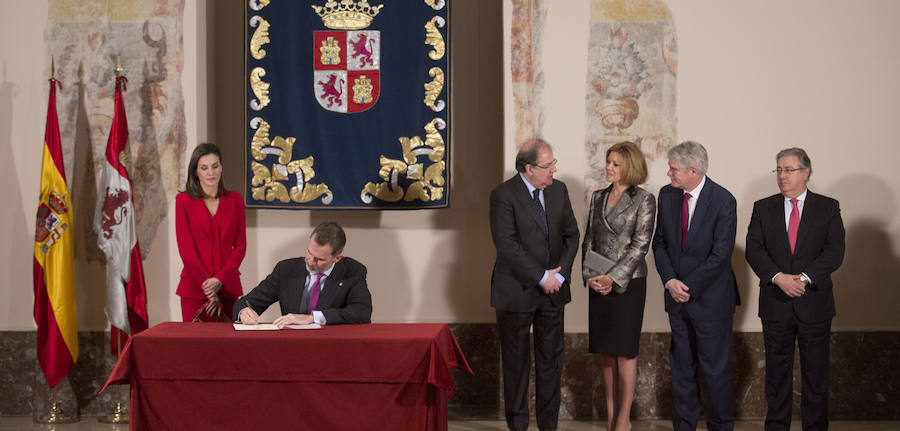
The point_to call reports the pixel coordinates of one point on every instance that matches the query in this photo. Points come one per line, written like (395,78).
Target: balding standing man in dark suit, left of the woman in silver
(536,237)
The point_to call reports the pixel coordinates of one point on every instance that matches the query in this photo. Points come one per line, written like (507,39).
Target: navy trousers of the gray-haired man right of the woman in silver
(707,343)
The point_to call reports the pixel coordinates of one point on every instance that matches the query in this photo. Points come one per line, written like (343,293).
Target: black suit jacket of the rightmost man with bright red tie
(819,252)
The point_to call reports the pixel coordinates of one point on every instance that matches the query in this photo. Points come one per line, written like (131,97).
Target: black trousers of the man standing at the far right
(813,340)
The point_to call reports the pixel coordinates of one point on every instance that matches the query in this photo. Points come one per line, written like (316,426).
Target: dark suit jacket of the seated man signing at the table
(345,298)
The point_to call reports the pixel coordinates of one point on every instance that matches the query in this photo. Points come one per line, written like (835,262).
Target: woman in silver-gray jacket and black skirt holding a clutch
(619,228)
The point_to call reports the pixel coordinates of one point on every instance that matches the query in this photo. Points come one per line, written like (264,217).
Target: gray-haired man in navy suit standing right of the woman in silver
(695,230)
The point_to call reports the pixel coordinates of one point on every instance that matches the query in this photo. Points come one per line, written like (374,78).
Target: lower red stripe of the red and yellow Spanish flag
(53,353)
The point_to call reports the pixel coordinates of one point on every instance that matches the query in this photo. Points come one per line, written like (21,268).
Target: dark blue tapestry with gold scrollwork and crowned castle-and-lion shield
(348,104)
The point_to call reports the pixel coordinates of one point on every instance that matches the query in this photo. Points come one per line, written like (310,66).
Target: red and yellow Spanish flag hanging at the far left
(54,285)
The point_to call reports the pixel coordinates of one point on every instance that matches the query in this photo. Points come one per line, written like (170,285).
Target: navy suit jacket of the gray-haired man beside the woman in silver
(705,263)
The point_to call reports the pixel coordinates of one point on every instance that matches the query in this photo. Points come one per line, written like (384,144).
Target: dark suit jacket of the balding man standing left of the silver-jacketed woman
(523,250)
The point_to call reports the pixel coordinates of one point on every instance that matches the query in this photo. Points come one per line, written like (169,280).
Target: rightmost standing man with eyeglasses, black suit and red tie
(794,243)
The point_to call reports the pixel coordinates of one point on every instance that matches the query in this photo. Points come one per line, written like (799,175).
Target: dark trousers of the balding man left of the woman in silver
(515,354)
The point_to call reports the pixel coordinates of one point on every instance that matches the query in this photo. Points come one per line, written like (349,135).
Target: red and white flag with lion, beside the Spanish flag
(126,297)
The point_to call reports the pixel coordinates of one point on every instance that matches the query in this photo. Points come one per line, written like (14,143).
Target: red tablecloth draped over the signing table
(209,376)
